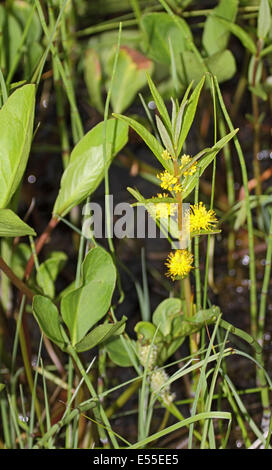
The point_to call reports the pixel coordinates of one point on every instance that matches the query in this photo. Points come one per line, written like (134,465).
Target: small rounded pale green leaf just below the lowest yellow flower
(164,314)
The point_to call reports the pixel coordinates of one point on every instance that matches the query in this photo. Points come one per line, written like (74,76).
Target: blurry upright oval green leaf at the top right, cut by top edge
(215,35)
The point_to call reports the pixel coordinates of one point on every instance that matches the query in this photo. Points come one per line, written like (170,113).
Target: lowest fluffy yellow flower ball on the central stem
(179,264)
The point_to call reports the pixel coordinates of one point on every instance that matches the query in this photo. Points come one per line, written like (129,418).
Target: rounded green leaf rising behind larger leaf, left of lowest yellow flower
(98,265)
